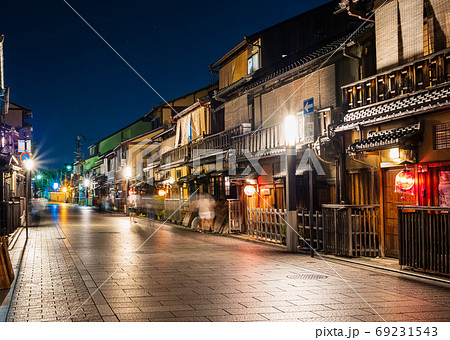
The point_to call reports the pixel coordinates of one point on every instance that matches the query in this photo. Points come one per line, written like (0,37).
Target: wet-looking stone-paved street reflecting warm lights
(179,275)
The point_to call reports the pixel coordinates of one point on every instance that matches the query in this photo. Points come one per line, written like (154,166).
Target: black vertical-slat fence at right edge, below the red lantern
(424,237)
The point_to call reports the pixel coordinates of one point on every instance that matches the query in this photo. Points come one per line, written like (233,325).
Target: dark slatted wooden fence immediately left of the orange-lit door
(351,230)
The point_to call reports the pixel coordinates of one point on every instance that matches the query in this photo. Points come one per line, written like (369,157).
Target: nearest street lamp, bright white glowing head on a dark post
(290,131)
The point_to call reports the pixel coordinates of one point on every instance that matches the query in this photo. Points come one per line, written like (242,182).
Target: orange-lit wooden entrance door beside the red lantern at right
(391,201)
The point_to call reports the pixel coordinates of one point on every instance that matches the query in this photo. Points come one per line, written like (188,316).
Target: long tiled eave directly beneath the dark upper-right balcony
(396,108)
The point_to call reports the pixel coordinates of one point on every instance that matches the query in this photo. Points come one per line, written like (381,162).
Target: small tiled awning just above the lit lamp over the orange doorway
(385,139)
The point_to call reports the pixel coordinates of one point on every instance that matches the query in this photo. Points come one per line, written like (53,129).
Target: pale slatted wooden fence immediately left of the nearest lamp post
(266,224)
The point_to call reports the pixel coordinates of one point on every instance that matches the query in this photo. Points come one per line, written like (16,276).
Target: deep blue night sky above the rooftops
(75,84)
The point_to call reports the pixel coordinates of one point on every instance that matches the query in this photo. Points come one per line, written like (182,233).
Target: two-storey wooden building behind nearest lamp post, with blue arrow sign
(295,67)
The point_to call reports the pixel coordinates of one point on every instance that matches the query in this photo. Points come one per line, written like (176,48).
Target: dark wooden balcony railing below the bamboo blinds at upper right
(415,76)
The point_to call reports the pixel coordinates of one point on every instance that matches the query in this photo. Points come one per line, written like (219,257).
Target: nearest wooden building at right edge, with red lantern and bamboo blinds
(396,129)
